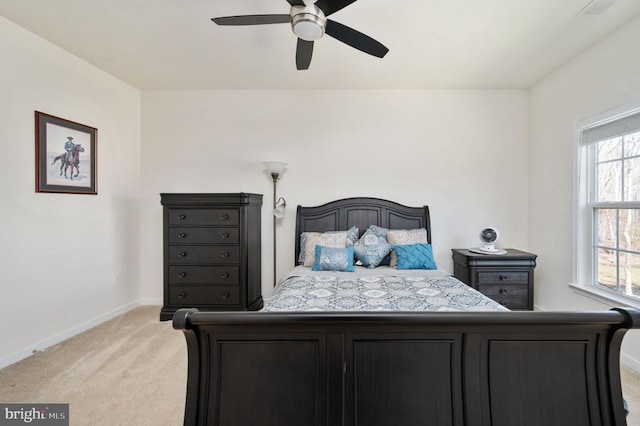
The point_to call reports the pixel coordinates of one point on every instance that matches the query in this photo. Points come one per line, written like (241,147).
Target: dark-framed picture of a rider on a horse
(66,156)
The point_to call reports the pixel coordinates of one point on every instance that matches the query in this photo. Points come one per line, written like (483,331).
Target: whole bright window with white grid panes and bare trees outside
(608,257)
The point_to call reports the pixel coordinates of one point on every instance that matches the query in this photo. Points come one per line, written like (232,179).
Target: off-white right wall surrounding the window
(603,77)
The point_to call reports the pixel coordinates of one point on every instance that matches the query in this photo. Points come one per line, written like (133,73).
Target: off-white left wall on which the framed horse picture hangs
(67,261)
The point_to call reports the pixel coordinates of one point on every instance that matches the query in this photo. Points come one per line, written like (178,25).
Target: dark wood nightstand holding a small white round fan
(507,279)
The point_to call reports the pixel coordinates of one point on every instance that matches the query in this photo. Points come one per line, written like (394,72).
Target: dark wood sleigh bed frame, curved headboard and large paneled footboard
(401,368)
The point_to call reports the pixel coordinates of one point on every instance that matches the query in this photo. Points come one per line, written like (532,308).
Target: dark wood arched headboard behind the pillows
(362,212)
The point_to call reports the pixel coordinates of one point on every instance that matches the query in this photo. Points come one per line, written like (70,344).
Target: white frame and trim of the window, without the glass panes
(584,231)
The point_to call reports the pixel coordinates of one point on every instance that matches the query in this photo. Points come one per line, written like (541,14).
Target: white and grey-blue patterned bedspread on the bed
(379,289)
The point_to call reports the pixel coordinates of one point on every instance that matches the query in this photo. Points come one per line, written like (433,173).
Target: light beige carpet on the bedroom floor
(132,371)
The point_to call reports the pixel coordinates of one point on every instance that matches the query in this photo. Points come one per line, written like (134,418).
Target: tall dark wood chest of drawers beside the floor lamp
(211,252)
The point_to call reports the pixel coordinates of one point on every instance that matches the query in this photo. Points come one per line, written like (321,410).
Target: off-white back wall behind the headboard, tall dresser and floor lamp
(464,153)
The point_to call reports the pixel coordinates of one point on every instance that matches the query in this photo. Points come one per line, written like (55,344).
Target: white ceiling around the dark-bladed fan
(434,44)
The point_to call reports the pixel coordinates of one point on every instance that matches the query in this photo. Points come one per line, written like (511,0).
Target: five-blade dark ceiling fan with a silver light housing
(309,23)
